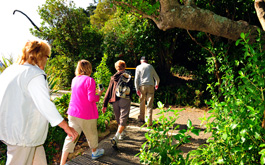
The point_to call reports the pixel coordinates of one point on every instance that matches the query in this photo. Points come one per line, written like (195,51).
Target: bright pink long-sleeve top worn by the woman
(83,98)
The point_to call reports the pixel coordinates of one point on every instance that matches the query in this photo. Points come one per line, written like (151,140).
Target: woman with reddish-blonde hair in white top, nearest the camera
(25,107)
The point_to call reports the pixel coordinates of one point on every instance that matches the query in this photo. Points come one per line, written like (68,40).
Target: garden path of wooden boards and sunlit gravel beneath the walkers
(131,145)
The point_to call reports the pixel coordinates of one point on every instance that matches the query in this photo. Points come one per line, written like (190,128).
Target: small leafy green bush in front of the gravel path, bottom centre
(162,146)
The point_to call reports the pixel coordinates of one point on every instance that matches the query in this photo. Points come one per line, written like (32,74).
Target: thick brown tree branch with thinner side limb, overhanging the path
(174,15)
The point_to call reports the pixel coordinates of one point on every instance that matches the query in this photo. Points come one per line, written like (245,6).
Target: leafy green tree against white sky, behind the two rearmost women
(72,37)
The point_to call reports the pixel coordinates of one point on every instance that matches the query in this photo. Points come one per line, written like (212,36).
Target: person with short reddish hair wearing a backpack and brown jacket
(119,95)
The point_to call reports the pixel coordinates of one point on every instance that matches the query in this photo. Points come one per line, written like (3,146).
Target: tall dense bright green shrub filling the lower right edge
(237,134)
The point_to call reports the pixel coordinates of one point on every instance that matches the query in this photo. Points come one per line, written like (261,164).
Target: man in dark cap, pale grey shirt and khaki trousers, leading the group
(146,82)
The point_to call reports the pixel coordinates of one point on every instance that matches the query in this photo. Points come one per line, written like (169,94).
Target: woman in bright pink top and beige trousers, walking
(82,111)
